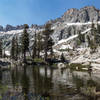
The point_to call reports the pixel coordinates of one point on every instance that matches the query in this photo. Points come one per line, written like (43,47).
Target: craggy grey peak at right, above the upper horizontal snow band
(86,14)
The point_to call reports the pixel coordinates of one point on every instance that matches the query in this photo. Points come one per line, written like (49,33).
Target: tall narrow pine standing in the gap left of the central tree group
(25,41)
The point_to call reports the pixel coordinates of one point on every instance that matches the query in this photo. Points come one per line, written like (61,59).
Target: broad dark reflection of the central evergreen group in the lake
(42,84)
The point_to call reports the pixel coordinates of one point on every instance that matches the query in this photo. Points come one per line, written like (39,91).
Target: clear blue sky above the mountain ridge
(17,12)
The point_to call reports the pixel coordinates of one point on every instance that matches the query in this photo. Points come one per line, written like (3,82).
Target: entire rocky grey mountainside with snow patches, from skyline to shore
(65,35)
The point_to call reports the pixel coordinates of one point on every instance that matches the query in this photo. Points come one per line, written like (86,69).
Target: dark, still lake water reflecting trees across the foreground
(45,83)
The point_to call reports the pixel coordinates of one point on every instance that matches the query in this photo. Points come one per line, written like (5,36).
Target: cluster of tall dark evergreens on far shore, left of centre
(42,44)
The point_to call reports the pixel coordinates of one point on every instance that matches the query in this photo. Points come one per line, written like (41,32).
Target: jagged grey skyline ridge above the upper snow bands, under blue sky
(83,15)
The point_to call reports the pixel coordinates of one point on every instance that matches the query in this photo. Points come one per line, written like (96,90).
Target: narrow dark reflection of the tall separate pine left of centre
(25,84)
